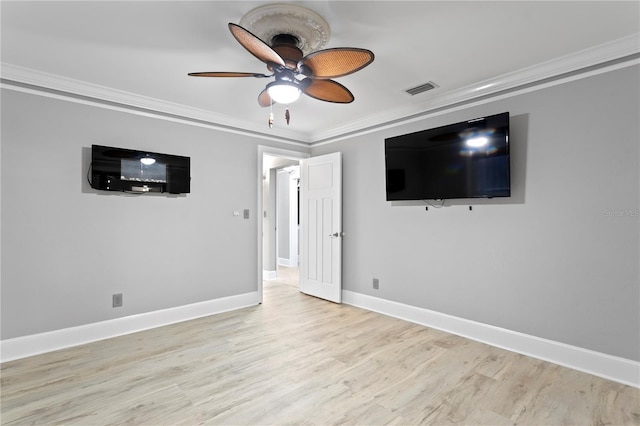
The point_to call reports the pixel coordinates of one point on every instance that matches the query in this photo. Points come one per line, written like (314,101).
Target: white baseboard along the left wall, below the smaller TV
(24,346)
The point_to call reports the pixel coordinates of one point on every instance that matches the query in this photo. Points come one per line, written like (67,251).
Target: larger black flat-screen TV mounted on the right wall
(469,159)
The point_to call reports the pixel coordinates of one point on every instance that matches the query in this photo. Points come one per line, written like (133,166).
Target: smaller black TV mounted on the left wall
(128,170)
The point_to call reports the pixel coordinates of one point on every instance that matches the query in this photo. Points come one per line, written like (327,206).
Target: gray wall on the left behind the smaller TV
(67,248)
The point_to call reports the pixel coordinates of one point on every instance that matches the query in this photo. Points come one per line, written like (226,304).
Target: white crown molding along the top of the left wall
(29,80)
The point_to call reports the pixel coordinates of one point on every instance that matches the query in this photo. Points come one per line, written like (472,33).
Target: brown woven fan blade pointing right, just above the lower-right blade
(337,62)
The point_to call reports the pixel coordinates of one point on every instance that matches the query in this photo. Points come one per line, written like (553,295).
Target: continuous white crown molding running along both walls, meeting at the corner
(574,66)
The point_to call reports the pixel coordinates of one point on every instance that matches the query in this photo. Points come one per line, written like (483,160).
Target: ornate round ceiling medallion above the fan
(271,22)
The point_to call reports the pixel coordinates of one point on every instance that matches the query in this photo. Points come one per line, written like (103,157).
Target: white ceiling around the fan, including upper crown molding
(139,53)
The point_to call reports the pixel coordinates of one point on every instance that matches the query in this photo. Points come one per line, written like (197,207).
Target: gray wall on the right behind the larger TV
(558,260)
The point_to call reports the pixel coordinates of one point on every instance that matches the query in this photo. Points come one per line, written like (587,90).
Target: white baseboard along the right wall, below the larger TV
(610,367)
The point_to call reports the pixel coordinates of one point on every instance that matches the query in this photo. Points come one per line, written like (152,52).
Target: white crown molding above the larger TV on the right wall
(526,79)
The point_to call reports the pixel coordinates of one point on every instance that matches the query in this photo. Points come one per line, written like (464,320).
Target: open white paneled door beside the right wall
(321,226)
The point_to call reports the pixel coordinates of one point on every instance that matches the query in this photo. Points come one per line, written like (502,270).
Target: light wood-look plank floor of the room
(299,360)
